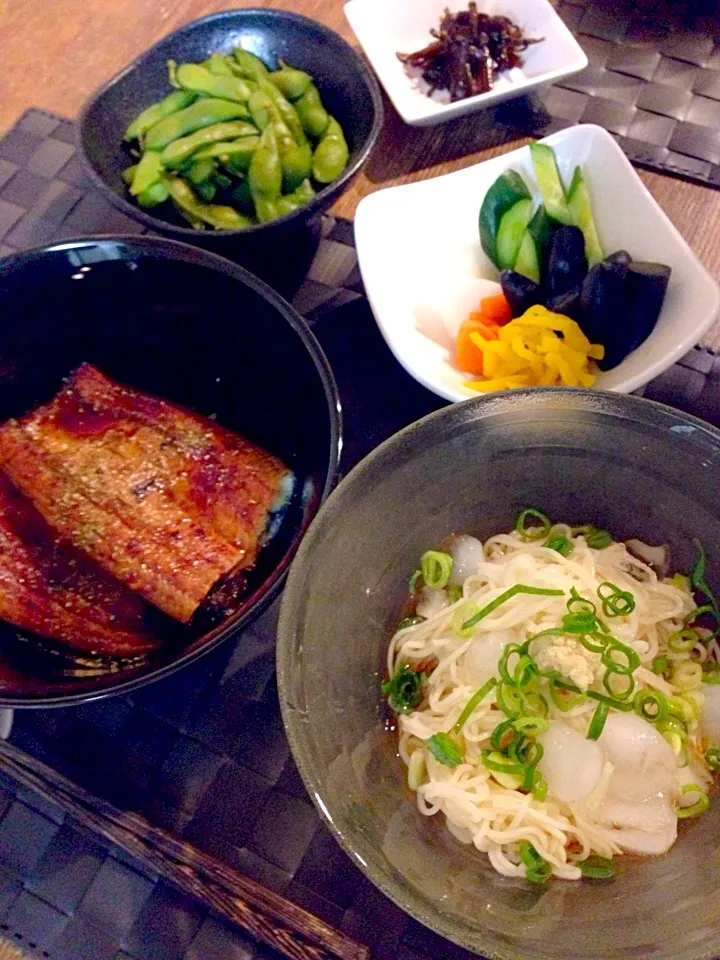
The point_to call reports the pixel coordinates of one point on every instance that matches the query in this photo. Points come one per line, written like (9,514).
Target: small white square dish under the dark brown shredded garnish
(385,28)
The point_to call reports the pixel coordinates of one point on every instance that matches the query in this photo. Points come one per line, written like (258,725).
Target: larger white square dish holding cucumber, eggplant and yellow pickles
(418,245)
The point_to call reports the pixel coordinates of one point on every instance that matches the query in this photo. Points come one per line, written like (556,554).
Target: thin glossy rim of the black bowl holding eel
(269,590)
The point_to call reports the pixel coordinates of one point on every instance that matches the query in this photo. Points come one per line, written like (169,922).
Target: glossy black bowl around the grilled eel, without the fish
(195,329)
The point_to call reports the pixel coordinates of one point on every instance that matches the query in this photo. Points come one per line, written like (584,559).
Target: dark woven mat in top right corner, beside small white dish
(653,81)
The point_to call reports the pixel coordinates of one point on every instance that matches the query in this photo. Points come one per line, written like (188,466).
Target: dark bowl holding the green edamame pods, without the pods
(346,85)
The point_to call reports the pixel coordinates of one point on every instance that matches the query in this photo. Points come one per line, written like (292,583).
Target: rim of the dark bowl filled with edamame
(296,217)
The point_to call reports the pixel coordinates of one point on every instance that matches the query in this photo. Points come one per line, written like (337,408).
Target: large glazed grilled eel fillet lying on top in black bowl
(165,500)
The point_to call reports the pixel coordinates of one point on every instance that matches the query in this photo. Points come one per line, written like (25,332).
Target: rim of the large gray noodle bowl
(287,664)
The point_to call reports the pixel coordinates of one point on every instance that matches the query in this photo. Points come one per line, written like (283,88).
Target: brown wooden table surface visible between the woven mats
(53,53)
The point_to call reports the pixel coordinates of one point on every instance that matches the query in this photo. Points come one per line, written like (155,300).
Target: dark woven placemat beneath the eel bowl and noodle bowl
(203,753)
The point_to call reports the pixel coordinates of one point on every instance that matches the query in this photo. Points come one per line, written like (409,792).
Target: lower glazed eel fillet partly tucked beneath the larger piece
(49,587)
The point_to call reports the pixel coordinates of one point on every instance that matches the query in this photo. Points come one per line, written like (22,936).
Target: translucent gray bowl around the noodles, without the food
(632,466)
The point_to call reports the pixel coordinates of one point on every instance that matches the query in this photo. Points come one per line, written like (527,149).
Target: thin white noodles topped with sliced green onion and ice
(556,699)
